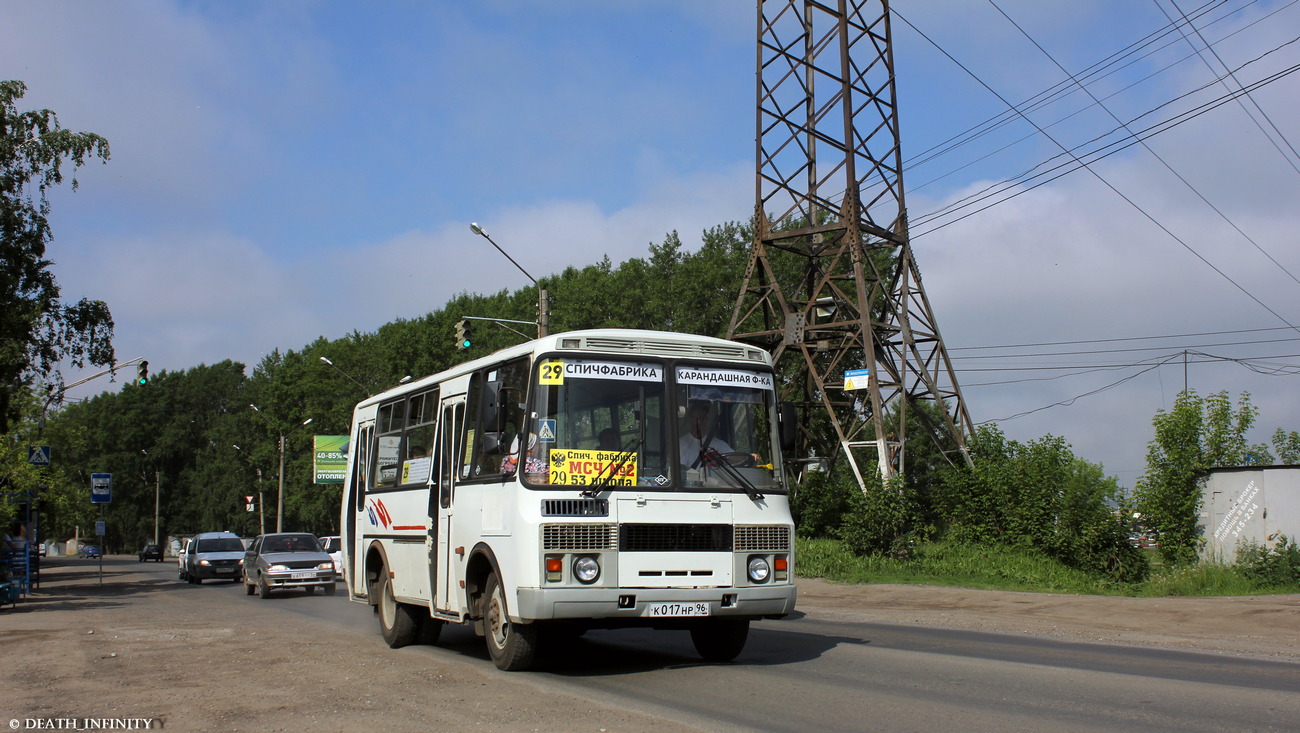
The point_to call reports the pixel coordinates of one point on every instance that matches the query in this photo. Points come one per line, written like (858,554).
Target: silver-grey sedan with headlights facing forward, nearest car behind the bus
(284,561)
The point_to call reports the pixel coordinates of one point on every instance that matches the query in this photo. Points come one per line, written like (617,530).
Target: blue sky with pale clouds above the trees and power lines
(288,171)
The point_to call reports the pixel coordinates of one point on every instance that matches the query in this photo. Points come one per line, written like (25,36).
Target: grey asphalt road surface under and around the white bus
(820,673)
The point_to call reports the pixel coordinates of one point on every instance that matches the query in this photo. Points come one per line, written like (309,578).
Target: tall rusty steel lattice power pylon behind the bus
(831,288)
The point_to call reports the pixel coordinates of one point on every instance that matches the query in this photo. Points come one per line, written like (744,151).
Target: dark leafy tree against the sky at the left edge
(37,329)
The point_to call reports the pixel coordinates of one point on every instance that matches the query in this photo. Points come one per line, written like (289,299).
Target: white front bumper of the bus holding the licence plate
(631,604)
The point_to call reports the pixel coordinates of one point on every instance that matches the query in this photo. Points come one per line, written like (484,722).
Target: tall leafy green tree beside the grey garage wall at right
(1195,436)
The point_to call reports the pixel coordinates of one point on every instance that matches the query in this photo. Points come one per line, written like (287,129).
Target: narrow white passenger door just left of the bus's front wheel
(443,567)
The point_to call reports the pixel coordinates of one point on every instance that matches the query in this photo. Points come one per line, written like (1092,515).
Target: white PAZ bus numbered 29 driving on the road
(596,479)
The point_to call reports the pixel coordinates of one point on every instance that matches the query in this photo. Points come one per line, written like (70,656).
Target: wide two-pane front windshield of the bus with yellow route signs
(605,424)
